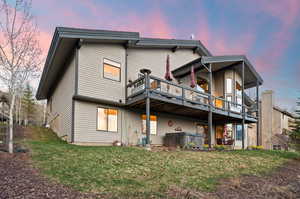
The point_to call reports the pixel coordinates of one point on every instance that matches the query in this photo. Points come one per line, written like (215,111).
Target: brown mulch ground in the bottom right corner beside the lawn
(282,183)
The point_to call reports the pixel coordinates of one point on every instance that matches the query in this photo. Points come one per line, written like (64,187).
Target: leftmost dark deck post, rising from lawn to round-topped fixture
(146,73)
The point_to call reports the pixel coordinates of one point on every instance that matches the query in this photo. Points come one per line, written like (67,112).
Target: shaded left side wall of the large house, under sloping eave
(62,103)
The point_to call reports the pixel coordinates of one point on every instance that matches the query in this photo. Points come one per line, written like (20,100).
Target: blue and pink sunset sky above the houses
(266,31)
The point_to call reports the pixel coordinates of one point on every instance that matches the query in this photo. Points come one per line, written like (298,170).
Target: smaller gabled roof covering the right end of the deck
(220,63)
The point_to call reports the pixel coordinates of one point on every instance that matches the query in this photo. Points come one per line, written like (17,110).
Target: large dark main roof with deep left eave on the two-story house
(65,39)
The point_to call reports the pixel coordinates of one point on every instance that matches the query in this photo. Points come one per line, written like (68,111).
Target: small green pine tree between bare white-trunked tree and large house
(28,103)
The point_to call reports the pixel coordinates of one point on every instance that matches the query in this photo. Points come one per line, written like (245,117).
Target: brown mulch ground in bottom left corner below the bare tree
(20,180)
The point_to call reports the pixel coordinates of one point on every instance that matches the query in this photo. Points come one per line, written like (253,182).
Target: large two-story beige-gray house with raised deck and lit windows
(105,86)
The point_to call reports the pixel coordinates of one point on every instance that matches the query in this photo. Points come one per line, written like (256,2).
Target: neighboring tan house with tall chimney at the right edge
(275,123)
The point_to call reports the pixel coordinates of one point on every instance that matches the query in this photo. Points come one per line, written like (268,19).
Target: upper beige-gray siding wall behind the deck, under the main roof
(155,59)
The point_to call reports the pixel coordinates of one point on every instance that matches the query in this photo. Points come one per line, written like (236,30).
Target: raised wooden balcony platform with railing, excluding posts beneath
(179,99)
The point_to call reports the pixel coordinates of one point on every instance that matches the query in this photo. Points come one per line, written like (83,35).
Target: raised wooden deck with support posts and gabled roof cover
(160,95)
